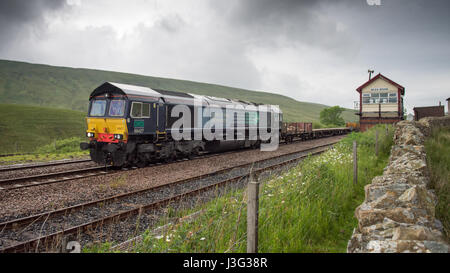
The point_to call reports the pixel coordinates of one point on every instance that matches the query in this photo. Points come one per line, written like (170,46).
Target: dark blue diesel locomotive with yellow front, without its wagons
(131,125)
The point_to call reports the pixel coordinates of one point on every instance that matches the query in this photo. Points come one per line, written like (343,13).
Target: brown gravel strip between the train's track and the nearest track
(28,201)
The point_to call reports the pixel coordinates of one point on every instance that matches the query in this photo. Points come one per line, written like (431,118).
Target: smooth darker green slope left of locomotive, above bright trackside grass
(31,126)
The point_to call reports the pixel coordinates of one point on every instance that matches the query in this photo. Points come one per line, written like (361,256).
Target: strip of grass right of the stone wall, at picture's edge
(438,160)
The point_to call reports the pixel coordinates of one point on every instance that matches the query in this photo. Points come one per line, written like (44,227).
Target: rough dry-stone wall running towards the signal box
(398,214)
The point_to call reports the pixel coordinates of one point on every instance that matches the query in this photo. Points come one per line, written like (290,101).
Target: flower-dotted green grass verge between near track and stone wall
(309,208)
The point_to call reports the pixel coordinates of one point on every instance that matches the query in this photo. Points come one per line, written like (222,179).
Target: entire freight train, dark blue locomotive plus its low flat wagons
(130,125)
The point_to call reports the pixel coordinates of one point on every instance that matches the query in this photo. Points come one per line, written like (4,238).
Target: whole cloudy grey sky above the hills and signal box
(315,51)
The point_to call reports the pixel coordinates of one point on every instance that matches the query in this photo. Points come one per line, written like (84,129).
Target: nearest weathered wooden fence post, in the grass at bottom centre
(252,216)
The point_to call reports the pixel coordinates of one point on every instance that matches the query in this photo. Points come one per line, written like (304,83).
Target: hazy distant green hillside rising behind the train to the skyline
(69,88)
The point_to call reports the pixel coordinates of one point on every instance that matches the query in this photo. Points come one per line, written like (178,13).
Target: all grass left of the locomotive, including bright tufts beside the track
(43,134)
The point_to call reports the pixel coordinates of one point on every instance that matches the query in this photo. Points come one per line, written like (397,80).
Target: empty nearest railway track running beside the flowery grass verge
(88,216)
